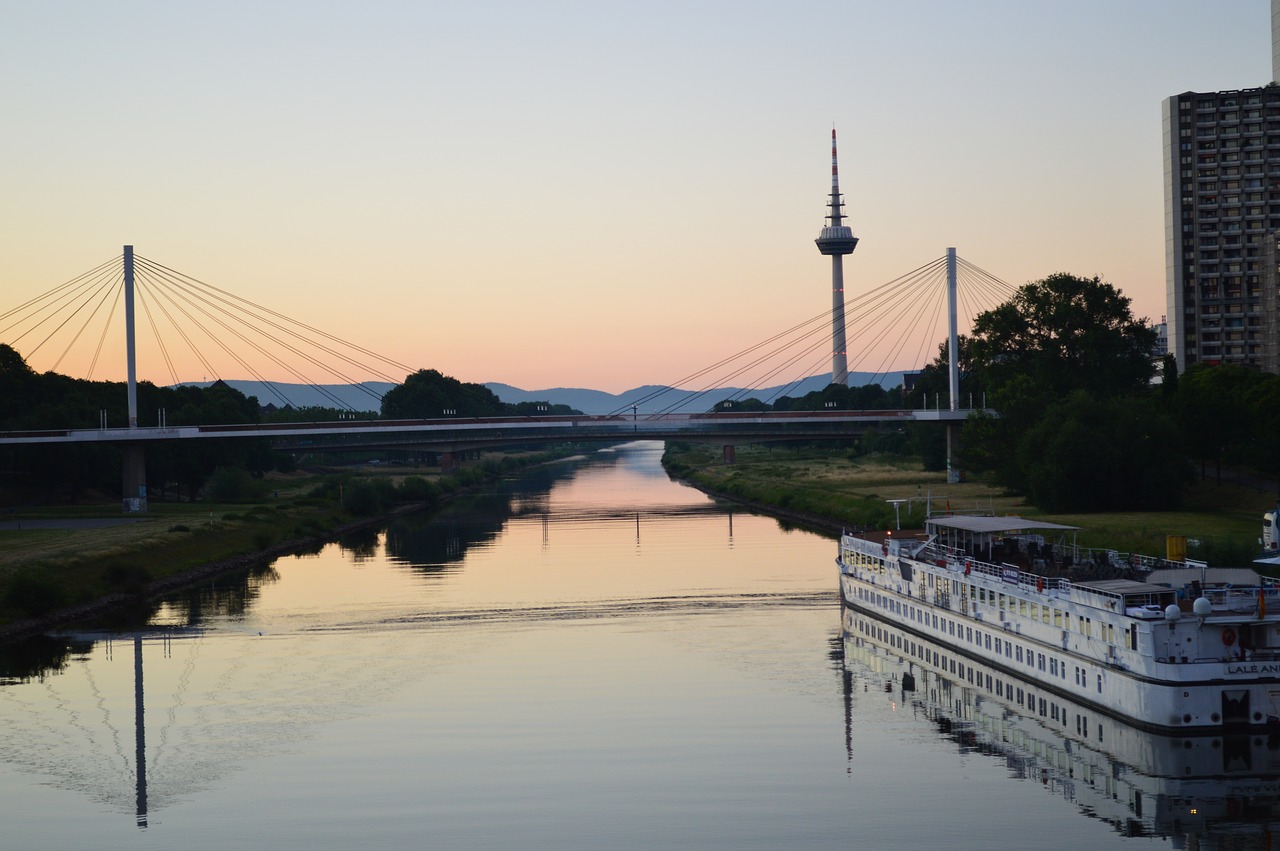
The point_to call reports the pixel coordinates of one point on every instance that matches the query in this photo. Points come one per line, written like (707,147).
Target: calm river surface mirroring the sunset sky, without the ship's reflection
(591,658)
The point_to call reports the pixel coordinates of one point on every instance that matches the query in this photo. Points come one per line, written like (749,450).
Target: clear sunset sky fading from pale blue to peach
(597,195)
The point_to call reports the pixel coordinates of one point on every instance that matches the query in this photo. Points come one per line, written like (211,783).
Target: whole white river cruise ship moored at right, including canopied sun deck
(1164,646)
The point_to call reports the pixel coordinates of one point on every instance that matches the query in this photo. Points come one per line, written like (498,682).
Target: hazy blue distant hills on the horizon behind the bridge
(651,399)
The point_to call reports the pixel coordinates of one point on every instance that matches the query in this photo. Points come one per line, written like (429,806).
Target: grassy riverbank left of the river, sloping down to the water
(47,571)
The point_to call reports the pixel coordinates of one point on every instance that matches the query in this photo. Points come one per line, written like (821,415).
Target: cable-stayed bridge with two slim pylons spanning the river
(900,322)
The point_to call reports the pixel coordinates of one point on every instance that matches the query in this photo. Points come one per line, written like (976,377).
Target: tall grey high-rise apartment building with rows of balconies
(1222,217)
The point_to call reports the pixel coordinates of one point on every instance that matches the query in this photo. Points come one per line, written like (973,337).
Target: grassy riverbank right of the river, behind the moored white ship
(831,489)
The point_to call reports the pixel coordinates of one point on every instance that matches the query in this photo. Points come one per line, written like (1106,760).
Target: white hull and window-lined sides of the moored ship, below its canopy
(1109,646)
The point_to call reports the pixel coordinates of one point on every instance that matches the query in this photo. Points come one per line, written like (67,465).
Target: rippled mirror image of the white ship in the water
(1200,791)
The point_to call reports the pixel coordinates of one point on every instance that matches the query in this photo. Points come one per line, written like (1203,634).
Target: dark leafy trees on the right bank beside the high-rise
(1078,414)
